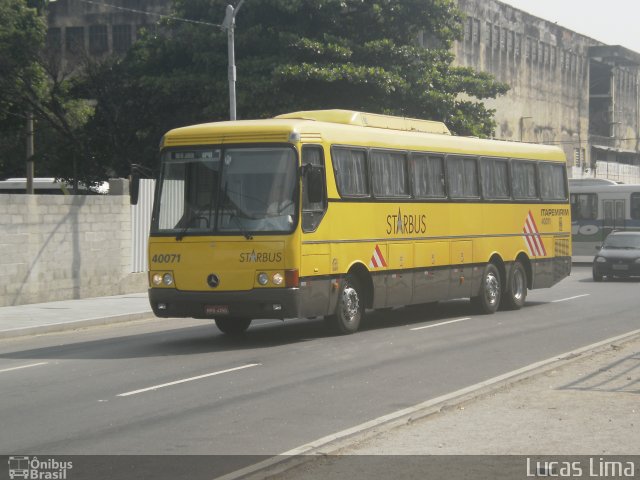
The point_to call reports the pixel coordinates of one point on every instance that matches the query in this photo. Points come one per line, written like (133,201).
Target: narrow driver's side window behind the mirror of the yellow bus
(312,211)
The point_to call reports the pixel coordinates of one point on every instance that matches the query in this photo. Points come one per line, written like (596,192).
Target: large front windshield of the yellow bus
(227,191)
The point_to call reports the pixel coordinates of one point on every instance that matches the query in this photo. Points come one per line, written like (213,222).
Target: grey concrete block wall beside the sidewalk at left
(59,247)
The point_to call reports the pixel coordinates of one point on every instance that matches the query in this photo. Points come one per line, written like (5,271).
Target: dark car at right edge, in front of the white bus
(618,256)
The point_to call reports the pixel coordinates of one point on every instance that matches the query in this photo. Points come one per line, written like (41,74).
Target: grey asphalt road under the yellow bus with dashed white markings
(180,387)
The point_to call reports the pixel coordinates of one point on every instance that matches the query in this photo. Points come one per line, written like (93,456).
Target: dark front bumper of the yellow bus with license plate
(277,303)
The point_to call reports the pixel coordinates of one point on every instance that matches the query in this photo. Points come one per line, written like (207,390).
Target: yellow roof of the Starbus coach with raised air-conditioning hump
(348,127)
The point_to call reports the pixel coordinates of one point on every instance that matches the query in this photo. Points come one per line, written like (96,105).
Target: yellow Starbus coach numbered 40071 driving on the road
(332,212)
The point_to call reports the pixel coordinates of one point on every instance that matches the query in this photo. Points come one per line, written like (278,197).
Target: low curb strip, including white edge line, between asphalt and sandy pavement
(334,444)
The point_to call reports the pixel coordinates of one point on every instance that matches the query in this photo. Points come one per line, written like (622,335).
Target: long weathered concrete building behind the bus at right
(566,89)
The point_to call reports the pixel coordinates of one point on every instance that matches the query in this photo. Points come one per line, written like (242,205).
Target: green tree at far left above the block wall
(33,78)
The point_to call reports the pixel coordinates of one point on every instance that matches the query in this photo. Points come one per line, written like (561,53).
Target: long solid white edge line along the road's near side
(313,448)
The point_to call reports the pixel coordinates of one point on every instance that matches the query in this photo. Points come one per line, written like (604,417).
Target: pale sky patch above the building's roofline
(614,22)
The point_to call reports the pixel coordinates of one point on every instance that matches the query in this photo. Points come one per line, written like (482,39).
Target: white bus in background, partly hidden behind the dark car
(599,207)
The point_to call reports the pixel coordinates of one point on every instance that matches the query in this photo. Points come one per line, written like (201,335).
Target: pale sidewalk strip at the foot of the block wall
(71,314)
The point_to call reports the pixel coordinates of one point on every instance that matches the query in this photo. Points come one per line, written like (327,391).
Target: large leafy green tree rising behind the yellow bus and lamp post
(290,55)
